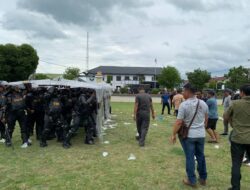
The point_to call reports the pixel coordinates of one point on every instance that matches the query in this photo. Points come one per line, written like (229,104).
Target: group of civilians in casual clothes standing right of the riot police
(197,114)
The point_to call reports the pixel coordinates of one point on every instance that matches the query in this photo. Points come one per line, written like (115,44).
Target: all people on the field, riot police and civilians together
(58,112)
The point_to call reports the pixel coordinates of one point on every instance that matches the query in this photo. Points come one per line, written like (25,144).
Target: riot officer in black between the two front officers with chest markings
(35,109)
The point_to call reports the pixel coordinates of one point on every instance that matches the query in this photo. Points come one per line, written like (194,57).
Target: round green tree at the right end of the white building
(170,77)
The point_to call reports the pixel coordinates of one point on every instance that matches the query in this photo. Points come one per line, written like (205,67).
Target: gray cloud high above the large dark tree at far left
(33,24)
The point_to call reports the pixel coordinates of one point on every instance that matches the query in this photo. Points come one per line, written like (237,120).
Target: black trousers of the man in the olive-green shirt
(237,153)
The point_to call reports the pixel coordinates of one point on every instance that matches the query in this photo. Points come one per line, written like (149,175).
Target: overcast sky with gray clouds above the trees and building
(187,34)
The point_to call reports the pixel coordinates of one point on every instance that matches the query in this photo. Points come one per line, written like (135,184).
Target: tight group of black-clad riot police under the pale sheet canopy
(54,112)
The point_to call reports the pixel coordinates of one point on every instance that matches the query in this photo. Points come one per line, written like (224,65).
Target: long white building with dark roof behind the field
(121,76)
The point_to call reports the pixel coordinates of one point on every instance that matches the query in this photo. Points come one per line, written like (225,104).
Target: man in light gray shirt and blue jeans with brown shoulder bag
(193,145)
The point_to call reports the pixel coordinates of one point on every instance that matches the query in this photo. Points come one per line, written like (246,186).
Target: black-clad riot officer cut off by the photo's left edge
(2,112)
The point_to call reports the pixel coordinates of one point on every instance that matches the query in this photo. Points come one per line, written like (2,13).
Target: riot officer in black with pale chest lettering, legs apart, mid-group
(53,117)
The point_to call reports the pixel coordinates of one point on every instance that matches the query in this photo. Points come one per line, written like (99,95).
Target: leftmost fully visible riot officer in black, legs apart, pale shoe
(16,111)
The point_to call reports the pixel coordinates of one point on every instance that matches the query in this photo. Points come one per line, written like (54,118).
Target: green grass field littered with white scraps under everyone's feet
(157,166)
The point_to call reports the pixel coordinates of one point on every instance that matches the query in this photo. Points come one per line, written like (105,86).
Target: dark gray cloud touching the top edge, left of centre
(80,12)
